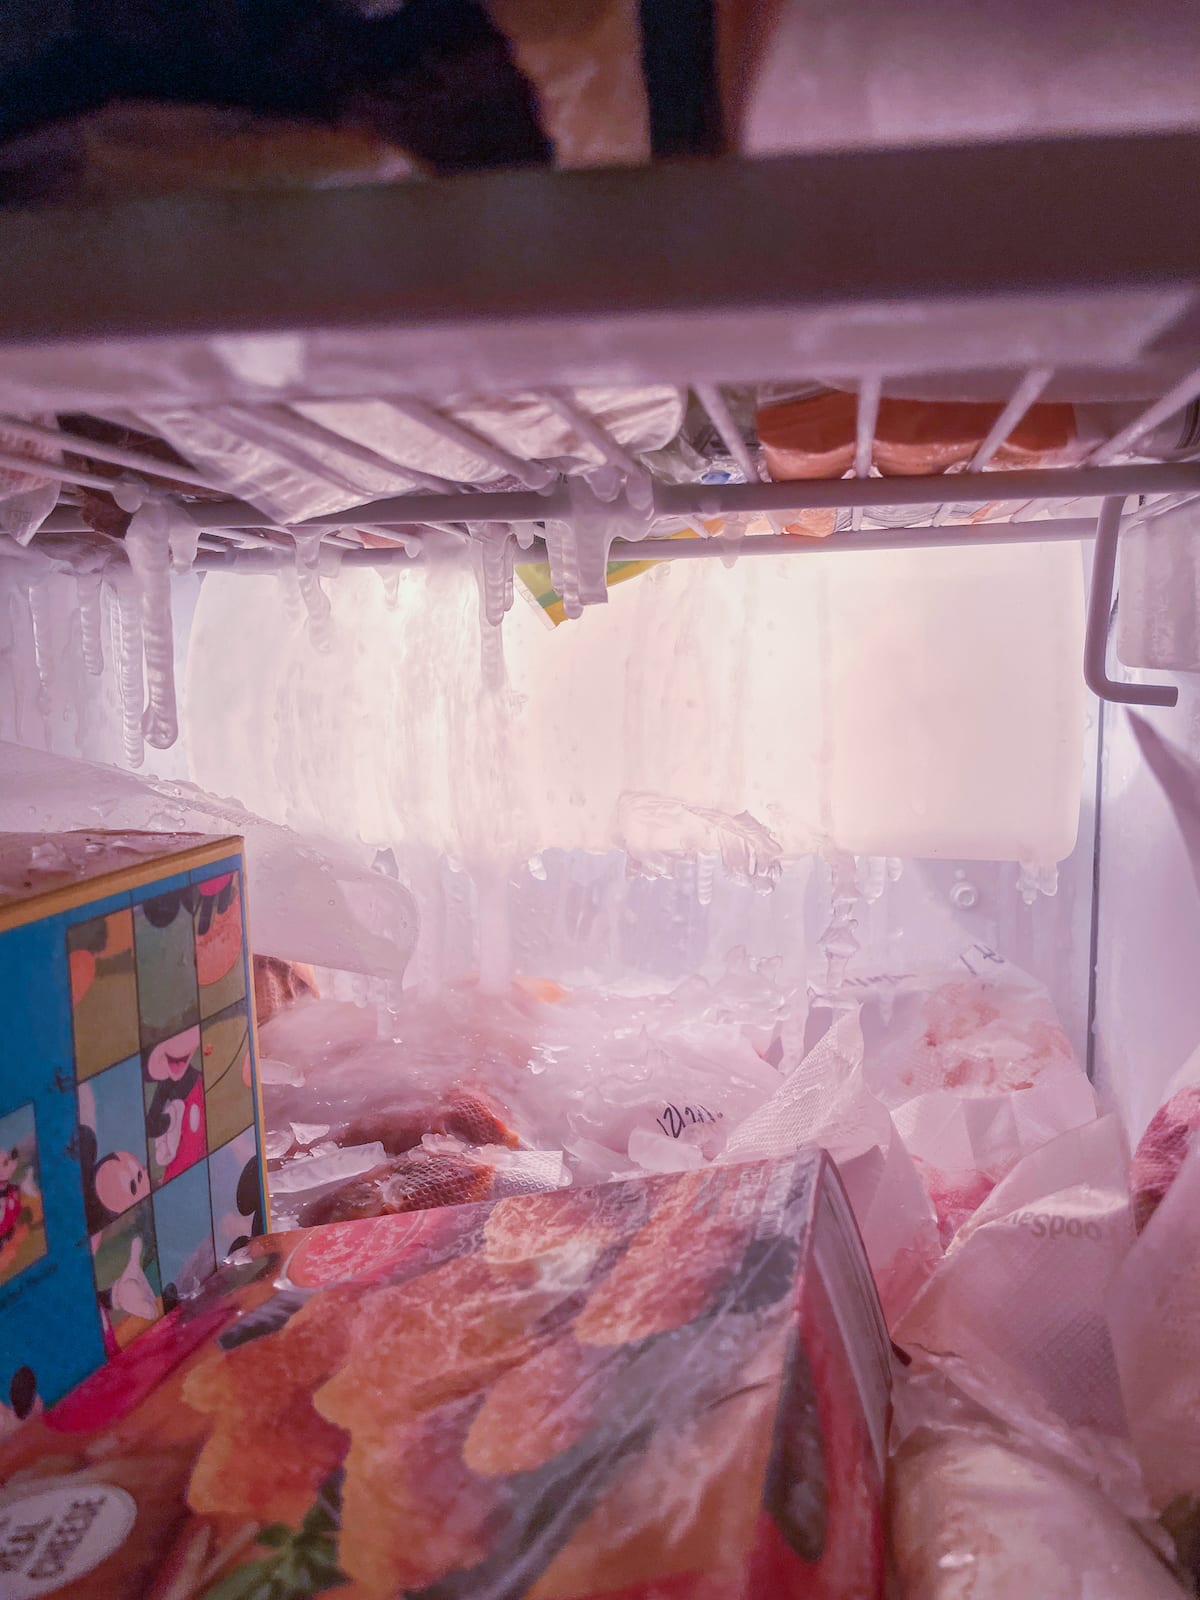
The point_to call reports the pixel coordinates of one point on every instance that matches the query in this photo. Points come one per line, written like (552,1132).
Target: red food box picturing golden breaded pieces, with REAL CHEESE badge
(670,1388)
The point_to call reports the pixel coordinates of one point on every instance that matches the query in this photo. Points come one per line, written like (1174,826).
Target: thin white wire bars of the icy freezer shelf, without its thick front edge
(236,540)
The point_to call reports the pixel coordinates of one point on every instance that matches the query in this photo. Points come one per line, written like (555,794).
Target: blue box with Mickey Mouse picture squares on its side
(129,1098)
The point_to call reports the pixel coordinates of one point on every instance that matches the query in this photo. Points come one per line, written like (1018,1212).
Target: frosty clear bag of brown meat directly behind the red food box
(620,1084)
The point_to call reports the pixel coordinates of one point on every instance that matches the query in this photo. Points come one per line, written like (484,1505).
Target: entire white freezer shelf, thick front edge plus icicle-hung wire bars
(809,263)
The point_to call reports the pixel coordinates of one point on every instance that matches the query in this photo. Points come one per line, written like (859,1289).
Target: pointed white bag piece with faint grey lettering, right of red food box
(1025,1286)
